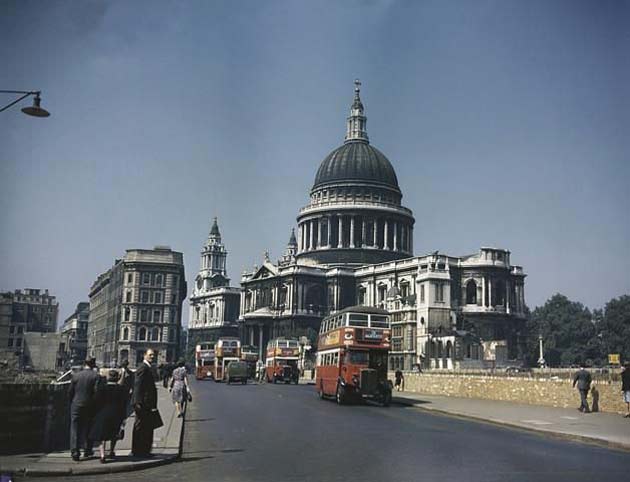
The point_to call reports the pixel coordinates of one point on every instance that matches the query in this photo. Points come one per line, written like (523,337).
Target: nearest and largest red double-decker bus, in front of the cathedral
(352,356)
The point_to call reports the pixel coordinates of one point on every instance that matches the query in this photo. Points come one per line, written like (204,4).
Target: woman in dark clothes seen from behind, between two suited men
(111,405)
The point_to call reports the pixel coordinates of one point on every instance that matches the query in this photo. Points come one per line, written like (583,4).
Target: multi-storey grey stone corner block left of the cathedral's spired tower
(137,304)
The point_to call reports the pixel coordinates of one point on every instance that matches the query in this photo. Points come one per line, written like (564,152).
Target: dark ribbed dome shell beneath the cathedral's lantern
(356,161)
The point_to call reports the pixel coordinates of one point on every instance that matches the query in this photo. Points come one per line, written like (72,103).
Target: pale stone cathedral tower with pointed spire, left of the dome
(214,304)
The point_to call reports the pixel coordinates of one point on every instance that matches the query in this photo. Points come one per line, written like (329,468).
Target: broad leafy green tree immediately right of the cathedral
(569,334)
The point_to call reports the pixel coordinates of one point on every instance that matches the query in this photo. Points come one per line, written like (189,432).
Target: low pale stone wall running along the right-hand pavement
(549,391)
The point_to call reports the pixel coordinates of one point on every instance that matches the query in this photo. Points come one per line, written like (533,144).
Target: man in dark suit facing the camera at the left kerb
(144,401)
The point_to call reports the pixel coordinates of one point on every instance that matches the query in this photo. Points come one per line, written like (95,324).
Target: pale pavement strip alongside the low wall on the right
(605,429)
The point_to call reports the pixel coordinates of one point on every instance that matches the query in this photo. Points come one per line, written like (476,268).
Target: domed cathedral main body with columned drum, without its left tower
(355,246)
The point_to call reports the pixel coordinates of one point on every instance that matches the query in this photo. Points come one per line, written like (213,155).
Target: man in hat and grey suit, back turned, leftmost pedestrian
(82,394)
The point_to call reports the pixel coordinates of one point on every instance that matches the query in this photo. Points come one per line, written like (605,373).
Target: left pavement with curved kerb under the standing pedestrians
(166,449)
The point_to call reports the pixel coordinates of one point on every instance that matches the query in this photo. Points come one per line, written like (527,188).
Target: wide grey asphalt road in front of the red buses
(285,433)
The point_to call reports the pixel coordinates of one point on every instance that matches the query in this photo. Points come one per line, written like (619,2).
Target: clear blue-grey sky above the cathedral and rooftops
(508,125)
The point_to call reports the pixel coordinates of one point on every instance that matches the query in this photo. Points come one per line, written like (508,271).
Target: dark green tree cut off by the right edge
(614,327)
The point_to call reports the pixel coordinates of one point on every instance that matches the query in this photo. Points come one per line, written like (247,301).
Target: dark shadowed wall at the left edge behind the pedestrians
(35,418)
